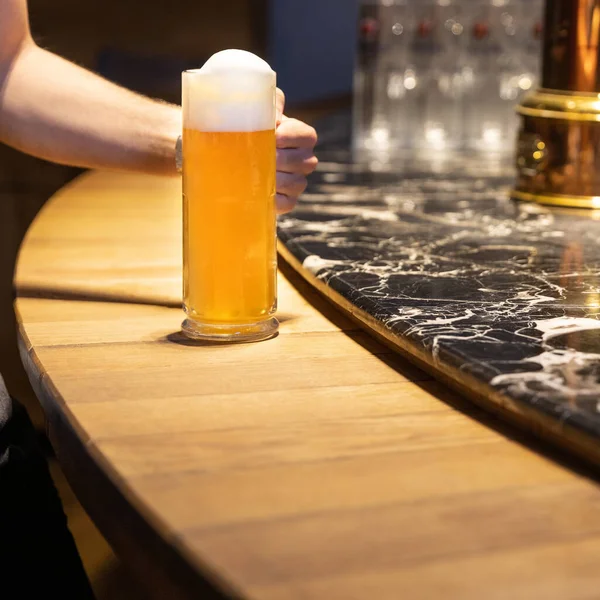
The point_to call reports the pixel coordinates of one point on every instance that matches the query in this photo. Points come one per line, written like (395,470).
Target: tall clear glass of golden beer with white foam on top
(229,237)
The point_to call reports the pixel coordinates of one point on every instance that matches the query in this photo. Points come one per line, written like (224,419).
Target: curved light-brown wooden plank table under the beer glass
(314,465)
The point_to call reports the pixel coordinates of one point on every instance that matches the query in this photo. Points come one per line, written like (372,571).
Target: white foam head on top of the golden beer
(233,91)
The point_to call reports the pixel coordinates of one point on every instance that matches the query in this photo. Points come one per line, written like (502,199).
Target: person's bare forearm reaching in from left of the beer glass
(56,110)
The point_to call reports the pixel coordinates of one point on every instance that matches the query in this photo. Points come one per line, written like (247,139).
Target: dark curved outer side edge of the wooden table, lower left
(172,569)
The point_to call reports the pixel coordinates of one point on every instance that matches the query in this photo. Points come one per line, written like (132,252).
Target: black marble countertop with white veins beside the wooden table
(501,297)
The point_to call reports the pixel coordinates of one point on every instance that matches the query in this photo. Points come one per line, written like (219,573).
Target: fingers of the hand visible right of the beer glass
(295,157)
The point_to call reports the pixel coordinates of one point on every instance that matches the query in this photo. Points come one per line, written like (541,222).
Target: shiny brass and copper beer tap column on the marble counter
(558,148)
